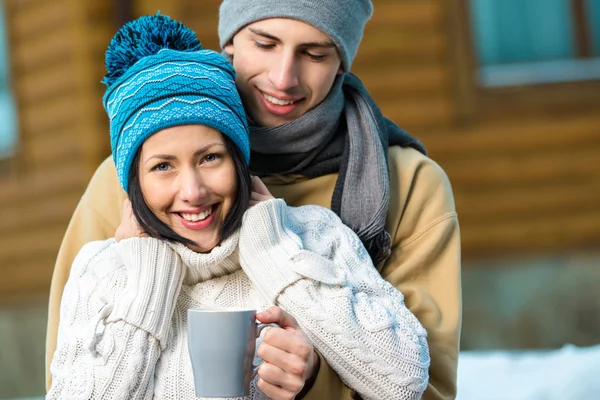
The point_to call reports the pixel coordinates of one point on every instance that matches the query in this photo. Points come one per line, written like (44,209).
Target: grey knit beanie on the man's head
(342,20)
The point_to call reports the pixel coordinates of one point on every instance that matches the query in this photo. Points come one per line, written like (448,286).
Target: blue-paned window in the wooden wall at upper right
(536,41)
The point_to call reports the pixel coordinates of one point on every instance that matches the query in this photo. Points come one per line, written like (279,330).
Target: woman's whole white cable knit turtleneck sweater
(123,333)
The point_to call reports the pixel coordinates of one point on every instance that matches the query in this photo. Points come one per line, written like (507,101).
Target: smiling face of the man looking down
(284,68)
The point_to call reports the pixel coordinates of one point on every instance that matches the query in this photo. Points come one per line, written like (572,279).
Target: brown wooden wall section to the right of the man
(524,162)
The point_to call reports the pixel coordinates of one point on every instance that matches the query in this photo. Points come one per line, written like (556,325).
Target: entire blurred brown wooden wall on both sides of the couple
(522,161)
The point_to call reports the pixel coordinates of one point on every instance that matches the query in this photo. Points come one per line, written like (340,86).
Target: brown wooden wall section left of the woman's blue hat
(56,51)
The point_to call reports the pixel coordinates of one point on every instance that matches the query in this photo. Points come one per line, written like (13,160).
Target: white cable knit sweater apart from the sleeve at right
(123,325)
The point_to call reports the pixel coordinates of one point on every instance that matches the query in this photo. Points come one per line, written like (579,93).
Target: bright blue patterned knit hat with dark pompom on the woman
(158,76)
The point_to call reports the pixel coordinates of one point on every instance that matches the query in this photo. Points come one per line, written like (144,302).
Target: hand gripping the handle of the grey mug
(289,356)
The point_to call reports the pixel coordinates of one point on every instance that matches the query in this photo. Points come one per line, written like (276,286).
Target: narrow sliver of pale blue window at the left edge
(8,119)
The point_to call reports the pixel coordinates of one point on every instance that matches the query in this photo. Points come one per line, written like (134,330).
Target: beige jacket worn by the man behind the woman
(424,264)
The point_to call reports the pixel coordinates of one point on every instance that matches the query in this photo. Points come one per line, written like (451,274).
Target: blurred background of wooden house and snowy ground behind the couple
(505,94)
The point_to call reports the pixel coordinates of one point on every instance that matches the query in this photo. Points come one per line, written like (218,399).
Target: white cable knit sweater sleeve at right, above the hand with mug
(310,264)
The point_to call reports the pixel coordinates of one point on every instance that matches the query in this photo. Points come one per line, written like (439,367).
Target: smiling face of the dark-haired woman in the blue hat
(188,180)
